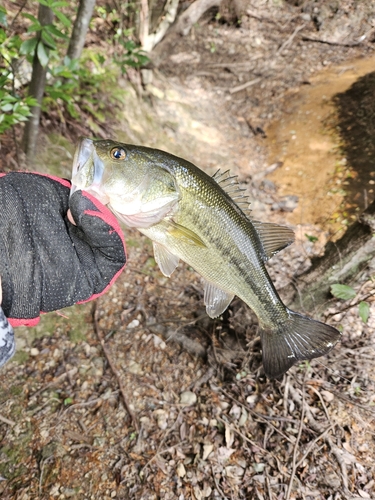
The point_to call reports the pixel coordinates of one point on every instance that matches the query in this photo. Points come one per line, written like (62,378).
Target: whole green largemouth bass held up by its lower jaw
(206,222)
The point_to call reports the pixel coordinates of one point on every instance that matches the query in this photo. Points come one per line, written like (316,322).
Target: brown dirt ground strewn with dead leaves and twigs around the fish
(142,396)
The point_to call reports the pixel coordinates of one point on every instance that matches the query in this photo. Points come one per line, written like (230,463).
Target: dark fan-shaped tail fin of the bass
(297,339)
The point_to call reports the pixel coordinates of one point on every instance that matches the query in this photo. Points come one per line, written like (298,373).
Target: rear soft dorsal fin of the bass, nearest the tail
(273,237)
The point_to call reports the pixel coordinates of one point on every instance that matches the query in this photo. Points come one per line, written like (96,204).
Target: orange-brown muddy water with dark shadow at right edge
(326,141)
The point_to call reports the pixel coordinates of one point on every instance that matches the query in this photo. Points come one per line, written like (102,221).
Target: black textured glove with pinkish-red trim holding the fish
(46,262)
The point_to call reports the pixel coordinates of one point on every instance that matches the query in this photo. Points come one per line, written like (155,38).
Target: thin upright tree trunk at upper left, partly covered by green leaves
(36,89)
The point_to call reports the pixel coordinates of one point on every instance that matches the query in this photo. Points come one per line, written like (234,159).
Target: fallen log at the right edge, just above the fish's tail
(342,261)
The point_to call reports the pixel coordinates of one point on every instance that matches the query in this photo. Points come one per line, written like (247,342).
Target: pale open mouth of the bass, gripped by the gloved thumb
(88,170)
